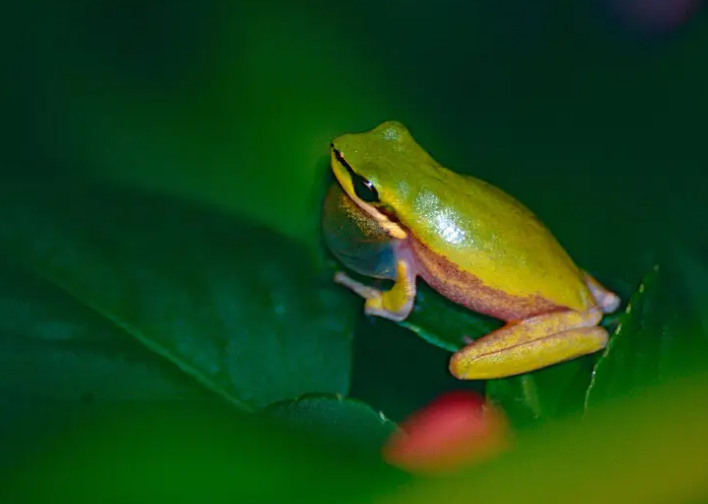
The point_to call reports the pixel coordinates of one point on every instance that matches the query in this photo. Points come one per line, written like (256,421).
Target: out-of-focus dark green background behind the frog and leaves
(597,126)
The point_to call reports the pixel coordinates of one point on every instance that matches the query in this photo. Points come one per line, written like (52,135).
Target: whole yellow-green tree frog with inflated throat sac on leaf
(395,213)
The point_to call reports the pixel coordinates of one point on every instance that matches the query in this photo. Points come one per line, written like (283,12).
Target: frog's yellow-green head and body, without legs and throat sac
(474,243)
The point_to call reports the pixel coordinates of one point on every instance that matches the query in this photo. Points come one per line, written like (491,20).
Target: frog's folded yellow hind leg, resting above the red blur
(531,344)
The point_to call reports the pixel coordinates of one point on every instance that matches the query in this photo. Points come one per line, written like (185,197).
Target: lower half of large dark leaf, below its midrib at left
(53,349)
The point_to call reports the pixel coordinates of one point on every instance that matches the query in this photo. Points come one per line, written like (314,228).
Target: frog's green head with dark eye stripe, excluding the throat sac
(375,168)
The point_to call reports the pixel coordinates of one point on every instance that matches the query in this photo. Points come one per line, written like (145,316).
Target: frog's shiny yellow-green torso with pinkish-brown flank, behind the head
(497,244)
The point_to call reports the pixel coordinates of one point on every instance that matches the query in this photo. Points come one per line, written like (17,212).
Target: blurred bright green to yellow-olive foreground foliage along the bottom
(650,448)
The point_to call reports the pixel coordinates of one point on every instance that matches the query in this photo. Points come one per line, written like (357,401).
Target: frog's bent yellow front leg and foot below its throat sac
(395,304)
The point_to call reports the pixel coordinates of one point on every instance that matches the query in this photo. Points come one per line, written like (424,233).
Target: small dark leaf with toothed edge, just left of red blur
(337,420)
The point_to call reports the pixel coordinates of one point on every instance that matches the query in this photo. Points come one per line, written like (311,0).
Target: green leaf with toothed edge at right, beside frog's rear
(658,337)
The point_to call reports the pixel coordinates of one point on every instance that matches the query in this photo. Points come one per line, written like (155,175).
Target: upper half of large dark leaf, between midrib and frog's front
(238,308)
